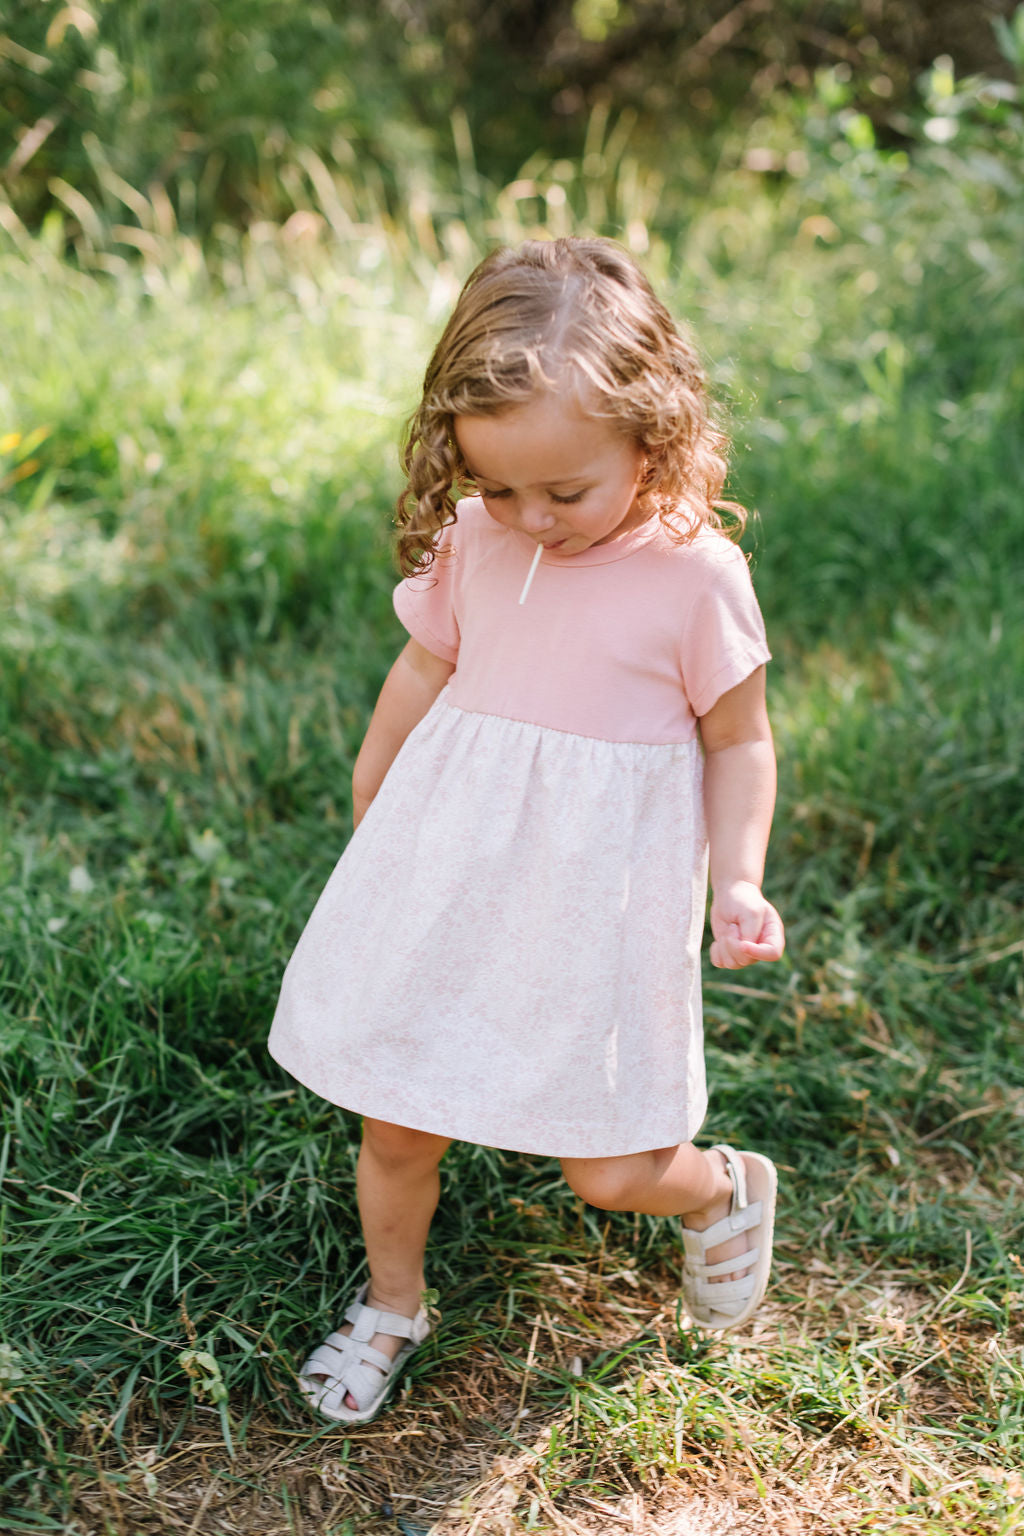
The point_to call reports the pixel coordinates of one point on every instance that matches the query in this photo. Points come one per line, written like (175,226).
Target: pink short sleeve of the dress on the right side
(724,641)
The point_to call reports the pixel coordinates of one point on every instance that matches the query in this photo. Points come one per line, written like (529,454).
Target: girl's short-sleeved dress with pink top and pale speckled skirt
(509,950)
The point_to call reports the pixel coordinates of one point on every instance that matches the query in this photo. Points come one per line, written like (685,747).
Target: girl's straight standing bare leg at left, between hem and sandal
(398,1187)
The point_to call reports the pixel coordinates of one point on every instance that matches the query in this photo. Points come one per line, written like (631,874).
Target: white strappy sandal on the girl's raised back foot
(716,1303)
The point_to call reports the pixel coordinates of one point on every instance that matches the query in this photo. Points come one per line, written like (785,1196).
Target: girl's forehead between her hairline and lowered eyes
(547,442)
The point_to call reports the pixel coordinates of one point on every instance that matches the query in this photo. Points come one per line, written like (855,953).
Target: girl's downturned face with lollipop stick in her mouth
(550,471)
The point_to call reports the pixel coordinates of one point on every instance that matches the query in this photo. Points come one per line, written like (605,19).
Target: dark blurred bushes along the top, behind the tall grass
(230,111)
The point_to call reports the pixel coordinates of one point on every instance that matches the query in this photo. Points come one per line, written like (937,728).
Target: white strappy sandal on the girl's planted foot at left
(348,1365)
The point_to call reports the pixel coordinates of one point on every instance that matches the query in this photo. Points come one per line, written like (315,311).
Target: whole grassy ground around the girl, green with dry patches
(197,601)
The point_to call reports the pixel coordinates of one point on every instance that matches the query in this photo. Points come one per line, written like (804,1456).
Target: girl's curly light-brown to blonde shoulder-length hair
(527,319)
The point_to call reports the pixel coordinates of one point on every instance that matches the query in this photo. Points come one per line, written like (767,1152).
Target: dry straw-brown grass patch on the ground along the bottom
(467,1449)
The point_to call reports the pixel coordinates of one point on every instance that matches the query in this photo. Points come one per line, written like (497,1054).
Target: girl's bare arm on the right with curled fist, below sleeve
(739,803)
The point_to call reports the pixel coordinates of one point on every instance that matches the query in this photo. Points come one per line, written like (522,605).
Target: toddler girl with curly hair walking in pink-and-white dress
(509,952)
